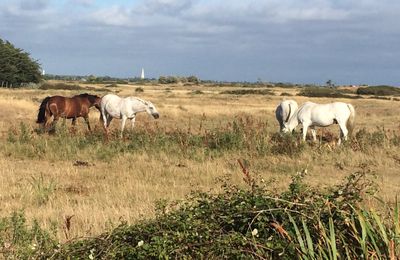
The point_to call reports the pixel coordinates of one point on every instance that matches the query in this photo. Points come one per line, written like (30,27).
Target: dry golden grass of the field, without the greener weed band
(101,194)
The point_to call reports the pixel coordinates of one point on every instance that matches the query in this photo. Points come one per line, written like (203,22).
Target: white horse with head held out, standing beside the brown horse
(113,106)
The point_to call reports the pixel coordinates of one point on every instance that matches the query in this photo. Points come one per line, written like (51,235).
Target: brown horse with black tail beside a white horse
(65,107)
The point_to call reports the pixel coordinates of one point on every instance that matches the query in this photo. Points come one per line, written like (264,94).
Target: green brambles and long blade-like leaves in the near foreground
(253,222)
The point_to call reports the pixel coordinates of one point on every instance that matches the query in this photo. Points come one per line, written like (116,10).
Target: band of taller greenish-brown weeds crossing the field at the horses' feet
(243,134)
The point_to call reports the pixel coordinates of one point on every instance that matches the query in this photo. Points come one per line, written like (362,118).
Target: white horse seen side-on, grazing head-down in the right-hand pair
(311,115)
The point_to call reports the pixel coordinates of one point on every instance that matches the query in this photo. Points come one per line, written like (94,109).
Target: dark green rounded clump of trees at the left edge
(16,67)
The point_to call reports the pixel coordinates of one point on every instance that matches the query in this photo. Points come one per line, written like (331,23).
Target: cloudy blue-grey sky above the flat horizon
(297,41)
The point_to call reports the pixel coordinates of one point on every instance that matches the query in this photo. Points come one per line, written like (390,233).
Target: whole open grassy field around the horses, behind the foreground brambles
(100,184)
